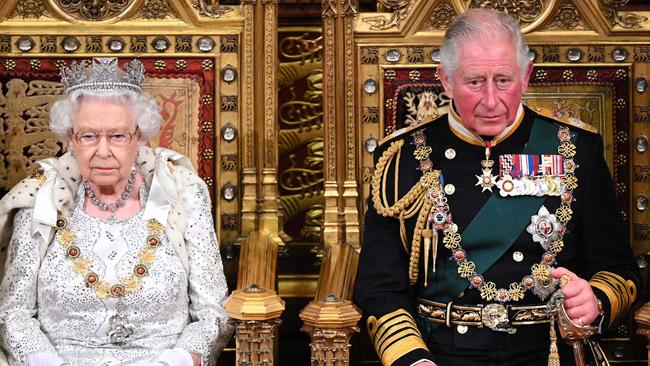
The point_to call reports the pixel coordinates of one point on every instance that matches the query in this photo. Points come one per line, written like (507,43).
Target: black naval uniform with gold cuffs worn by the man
(596,247)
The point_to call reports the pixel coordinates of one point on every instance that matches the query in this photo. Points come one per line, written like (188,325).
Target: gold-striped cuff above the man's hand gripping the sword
(620,293)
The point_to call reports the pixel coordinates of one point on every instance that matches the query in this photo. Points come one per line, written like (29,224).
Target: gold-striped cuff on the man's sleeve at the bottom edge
(394,335)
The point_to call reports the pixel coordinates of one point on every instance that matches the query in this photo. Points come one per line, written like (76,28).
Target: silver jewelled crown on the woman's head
(103,74)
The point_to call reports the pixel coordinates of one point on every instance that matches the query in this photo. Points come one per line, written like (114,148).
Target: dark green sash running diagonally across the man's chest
(495,228)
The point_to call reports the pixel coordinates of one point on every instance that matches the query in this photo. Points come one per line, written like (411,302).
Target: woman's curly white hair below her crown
(144,107)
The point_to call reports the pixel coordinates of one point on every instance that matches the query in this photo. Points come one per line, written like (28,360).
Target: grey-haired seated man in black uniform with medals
(475,216)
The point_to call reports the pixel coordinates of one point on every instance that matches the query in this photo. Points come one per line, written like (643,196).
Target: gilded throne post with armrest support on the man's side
(331,319)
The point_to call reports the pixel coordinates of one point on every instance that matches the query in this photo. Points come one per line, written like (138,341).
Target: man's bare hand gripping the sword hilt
(580,301)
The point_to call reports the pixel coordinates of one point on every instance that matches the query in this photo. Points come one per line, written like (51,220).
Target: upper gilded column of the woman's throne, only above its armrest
(259,169)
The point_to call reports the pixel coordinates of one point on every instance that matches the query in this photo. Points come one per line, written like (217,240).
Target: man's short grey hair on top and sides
(486,25)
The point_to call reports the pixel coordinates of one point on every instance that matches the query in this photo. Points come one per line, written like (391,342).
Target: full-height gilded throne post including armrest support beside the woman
(255,308)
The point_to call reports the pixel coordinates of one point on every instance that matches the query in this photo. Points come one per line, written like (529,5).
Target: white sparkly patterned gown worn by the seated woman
(58,312)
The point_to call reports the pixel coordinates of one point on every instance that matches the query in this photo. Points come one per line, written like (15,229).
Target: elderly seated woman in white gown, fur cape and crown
(113,258)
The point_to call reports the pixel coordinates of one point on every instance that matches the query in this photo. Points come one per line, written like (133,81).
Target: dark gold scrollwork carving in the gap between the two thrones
(301,183)
